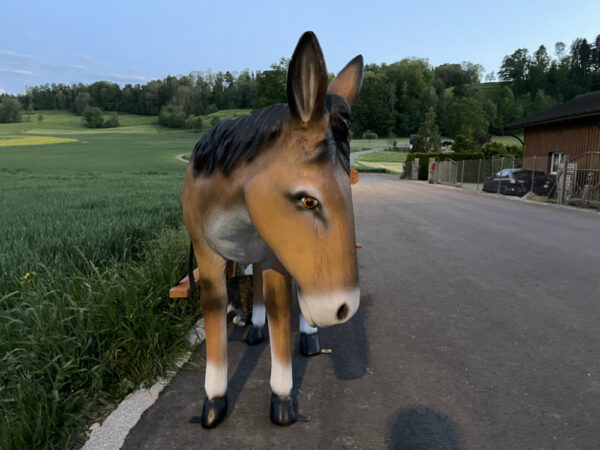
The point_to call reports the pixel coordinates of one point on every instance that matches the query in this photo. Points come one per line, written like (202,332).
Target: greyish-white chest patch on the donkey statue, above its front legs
(232,235)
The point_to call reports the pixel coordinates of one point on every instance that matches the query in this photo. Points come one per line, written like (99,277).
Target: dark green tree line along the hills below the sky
(396,99)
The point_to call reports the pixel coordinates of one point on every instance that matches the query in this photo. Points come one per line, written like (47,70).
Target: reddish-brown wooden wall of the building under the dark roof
(572,137)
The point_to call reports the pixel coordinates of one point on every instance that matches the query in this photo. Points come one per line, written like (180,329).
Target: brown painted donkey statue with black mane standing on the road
(273,189)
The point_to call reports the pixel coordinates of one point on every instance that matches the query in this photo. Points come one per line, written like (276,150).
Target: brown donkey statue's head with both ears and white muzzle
(301,203)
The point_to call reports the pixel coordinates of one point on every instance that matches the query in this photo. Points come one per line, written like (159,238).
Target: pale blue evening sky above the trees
(138,41)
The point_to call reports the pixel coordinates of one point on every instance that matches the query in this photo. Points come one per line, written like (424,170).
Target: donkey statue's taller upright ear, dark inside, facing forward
(307,79)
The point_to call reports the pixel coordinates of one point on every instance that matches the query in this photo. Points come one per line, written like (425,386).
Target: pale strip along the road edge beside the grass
(115,428)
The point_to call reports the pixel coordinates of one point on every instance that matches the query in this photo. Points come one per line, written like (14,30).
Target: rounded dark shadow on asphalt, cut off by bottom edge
(421,428)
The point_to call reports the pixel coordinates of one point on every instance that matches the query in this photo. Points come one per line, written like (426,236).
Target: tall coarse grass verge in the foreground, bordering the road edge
(75,340)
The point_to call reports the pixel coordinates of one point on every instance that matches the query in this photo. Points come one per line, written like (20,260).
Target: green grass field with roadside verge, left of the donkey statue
(91,242)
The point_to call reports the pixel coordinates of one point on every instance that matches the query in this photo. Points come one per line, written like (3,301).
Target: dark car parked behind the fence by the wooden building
(517,182)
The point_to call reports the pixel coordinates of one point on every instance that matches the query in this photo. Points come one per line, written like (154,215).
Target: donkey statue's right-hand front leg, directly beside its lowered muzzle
(284,408)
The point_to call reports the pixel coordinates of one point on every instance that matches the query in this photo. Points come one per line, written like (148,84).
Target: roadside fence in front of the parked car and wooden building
(575,181)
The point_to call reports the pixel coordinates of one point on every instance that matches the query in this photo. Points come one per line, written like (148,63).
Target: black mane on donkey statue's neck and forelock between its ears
(232,140)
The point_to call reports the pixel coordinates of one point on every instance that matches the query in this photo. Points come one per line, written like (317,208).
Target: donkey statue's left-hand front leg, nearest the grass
(213,296)
